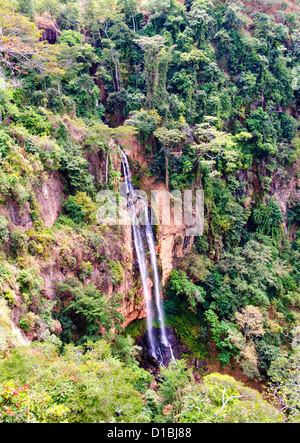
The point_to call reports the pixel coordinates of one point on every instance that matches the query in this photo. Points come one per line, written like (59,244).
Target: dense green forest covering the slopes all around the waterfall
(211,91)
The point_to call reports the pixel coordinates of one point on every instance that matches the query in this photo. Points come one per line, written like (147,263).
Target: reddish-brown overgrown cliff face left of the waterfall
(64,253)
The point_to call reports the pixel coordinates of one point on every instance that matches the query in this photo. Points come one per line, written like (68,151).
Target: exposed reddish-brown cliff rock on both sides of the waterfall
(64,254)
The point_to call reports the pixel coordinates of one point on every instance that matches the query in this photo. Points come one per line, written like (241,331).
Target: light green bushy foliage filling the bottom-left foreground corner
(75,387)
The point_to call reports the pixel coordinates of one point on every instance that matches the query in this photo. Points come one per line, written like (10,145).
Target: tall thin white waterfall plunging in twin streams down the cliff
(157,349)
